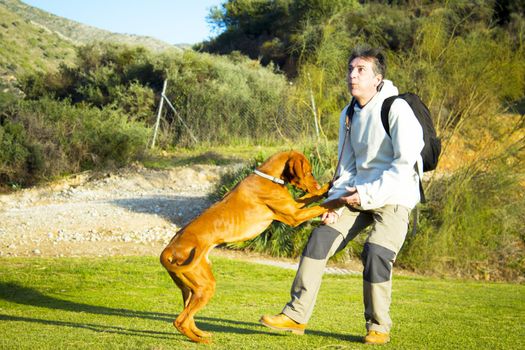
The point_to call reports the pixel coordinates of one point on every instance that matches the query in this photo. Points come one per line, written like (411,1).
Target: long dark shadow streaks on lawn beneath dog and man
(18,294)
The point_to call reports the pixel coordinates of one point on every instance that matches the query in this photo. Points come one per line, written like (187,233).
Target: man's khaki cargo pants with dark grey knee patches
(389,227)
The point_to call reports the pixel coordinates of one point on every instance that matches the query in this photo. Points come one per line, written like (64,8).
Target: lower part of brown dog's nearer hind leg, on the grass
(202,284)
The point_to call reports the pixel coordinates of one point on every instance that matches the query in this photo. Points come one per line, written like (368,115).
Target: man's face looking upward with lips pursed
(361,79)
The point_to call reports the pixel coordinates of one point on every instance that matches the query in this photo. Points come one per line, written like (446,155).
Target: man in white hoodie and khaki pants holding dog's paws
(378,185)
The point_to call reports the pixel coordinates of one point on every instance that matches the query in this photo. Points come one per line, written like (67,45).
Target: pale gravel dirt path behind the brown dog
(134,211)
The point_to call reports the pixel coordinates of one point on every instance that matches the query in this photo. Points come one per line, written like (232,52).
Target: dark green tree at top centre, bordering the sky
(268,30)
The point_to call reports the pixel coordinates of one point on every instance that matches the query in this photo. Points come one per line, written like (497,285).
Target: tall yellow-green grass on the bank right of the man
(474,223)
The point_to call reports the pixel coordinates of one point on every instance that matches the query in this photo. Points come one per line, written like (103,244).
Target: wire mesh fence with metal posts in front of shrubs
(262,119)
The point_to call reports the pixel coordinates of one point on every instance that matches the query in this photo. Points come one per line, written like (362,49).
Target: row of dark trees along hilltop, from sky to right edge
(286,31)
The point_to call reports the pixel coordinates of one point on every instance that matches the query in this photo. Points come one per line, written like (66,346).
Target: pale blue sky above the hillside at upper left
(173,21)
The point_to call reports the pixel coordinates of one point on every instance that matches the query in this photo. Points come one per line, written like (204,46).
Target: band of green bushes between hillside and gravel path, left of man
(116,89)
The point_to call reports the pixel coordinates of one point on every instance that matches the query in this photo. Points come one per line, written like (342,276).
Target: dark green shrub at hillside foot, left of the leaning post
(102,74)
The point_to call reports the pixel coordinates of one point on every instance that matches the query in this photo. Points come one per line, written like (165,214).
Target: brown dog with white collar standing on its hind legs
(242,214)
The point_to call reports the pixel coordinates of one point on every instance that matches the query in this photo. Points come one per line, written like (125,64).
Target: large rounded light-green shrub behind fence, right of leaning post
(225,100)
